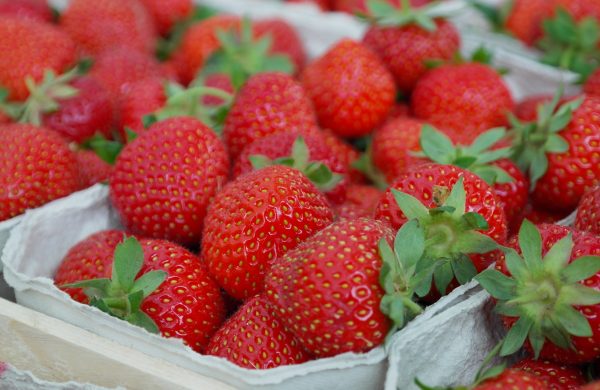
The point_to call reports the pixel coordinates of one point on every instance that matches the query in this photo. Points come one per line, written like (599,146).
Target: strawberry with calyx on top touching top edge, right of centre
(406,39)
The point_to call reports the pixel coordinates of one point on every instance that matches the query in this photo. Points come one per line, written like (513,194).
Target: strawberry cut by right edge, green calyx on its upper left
(560,152)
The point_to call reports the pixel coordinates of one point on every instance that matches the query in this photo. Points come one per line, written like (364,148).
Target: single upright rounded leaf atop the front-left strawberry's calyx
(129,258)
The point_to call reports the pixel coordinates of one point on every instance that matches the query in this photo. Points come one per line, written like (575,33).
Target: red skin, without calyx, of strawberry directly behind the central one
(280,145)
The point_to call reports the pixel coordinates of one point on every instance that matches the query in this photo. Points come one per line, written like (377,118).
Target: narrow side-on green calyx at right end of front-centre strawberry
(399,275)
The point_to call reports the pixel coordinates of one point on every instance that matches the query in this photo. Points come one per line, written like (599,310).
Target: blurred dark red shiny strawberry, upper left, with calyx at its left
(83,116)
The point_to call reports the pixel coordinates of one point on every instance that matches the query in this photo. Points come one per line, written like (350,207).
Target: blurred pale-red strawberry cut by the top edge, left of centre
(106,24)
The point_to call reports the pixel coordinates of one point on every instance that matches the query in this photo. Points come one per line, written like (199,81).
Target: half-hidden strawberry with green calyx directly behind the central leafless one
(307,154)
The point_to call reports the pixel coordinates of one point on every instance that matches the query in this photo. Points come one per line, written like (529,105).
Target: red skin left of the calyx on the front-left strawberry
(90,258)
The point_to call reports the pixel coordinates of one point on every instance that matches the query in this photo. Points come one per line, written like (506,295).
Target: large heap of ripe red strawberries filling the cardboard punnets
(279,210)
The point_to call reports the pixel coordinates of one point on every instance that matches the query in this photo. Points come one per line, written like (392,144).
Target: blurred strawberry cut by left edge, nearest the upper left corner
(34,47)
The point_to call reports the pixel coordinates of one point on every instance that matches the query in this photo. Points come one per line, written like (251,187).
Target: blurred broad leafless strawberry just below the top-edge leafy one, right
(469,97)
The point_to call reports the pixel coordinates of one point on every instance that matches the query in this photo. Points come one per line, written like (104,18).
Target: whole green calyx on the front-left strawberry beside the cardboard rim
(122,295)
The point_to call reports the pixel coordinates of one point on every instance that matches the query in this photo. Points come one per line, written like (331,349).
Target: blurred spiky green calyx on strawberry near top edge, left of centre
(242,56)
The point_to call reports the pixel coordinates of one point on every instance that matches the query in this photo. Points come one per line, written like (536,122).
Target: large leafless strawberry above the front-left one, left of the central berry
(165,179)
